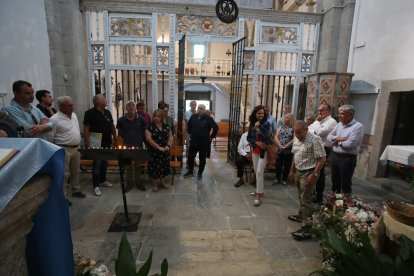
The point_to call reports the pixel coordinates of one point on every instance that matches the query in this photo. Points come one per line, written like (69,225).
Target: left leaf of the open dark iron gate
(181,105)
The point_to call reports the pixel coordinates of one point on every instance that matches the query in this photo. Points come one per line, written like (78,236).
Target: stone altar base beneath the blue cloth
(16,221)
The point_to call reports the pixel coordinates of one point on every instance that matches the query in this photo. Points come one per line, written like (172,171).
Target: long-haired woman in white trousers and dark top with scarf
(260,138)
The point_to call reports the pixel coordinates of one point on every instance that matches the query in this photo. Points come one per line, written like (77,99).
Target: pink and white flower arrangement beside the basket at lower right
(348,217)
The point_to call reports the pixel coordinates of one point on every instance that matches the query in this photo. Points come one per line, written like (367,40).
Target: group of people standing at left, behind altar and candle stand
(136,128)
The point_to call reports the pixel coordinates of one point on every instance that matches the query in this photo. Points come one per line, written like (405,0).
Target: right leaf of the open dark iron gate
(235,99)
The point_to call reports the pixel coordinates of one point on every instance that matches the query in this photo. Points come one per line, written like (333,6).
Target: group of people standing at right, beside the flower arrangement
(302,151)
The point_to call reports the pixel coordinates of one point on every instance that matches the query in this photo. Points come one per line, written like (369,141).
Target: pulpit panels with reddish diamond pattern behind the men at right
(331,87)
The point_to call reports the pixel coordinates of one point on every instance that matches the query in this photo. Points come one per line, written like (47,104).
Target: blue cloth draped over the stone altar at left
(49,249)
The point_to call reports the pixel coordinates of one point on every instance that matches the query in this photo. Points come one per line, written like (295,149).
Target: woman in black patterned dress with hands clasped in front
(159,139)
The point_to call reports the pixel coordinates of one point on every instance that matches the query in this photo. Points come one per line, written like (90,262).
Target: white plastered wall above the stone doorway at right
(386,29)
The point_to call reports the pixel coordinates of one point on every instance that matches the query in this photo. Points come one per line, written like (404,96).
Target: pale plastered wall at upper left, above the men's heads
(24,45)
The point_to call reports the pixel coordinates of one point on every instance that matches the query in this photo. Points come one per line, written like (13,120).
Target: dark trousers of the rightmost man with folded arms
(343,167)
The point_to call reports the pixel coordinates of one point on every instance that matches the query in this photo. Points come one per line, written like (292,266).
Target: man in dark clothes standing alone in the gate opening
(199,127)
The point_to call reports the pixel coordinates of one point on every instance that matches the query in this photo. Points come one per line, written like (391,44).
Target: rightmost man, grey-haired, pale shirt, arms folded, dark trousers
(346,138)
